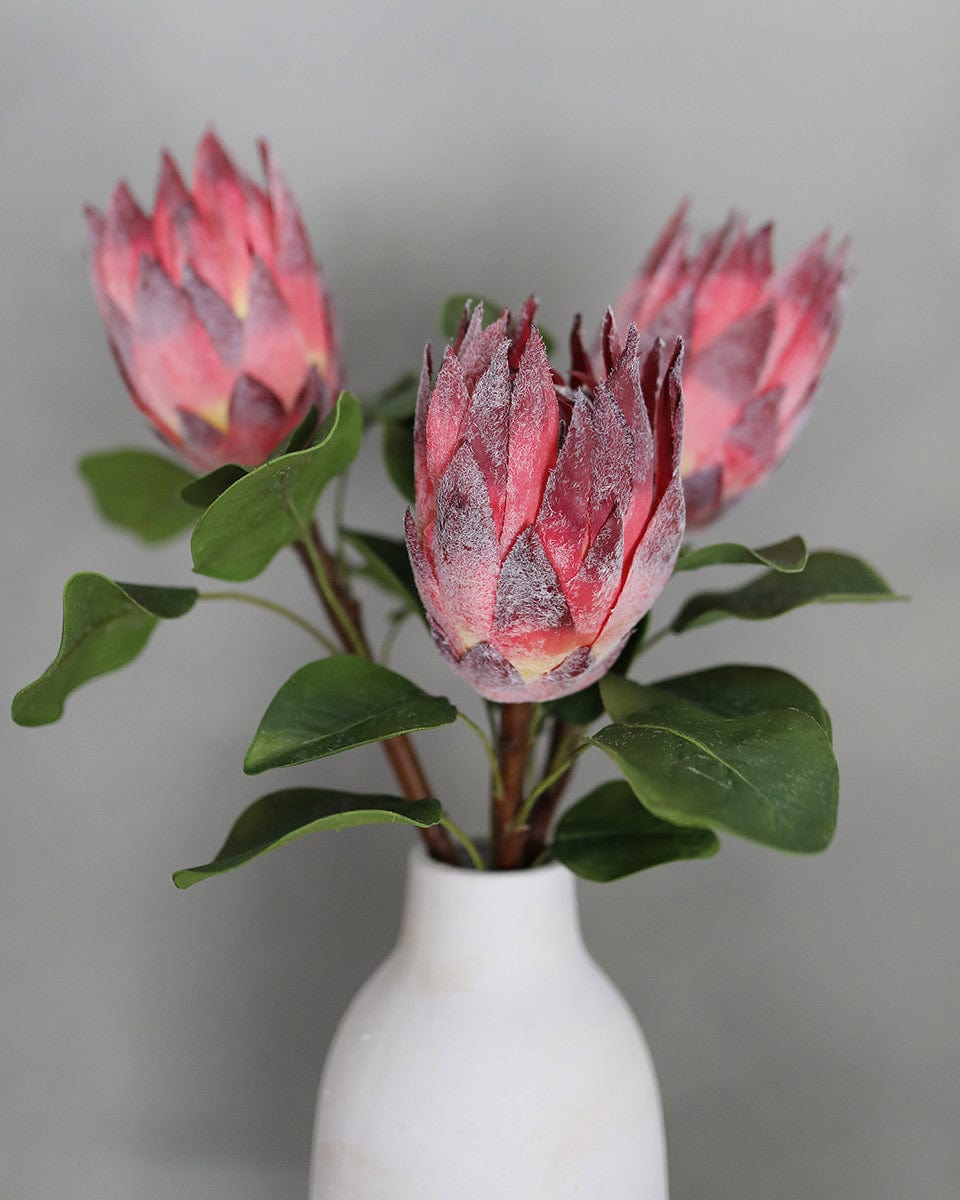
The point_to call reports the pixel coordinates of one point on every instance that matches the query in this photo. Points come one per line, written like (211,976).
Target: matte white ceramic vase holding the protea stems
(489,1058)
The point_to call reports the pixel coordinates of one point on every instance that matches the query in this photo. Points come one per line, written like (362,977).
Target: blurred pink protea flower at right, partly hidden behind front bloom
(755,345)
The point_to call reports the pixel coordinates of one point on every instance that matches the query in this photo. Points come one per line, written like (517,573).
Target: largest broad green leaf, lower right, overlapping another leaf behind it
(770,776)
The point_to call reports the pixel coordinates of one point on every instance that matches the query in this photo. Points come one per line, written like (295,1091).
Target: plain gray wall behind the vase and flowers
(802,1012)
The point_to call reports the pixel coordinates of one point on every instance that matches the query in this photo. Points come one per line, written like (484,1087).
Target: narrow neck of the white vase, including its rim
(503,923)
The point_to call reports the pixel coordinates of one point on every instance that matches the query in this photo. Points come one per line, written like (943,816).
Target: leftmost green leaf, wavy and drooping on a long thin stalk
(106,626)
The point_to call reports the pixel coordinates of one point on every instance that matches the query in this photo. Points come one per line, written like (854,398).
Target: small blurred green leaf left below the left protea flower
(140,491)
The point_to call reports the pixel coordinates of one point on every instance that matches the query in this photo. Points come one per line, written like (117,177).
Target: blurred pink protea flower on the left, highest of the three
(215,310)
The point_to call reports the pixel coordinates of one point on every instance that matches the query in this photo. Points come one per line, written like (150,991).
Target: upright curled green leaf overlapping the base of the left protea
(273,506)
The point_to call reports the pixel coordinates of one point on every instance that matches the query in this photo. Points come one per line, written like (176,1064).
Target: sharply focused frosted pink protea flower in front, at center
(549,519)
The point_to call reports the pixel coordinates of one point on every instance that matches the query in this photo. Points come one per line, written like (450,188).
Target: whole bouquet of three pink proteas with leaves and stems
(549,515)
